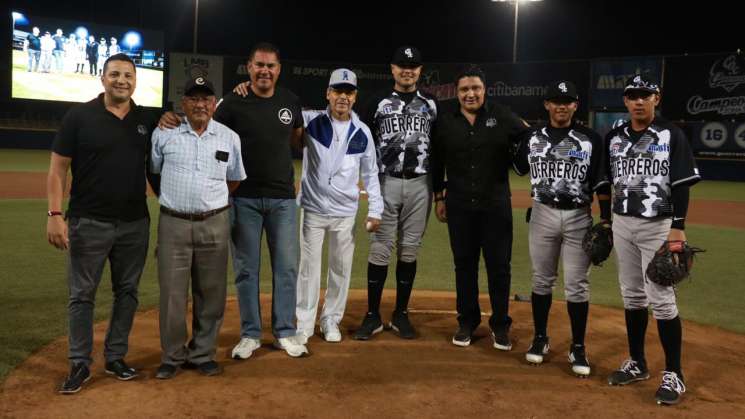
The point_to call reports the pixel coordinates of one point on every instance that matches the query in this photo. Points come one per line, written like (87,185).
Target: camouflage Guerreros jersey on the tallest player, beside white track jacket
(401,124)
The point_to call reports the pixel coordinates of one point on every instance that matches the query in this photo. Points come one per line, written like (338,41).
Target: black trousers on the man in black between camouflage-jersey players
(473,233)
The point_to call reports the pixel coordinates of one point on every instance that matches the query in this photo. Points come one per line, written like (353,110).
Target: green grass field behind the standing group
(33,300)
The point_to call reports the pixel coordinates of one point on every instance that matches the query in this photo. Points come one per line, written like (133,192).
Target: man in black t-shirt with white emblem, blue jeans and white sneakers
(268,120)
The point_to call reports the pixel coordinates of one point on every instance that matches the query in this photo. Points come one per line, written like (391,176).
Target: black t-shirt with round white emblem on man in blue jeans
(265,126)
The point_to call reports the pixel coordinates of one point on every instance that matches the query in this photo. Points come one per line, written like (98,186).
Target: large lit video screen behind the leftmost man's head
(62,60)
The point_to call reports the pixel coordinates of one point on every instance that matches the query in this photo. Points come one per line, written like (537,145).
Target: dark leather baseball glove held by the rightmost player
(671,263)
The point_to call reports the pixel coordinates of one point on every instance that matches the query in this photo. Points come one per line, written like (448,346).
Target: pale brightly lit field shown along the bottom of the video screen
(71,87)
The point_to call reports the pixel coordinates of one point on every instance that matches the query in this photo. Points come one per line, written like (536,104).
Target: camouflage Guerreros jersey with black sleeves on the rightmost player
(645,166)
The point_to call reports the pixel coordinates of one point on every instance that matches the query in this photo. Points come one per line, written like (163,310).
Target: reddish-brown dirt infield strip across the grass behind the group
(728,213)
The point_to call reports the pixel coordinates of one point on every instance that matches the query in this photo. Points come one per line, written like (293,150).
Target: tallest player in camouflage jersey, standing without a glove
(401,120)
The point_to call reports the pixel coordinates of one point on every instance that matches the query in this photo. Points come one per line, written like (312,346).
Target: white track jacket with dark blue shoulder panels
(331,172)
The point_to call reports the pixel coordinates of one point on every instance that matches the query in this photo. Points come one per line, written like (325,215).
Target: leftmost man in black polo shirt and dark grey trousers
(106,142)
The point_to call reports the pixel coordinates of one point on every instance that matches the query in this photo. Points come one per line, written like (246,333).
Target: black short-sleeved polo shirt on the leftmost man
(108,160)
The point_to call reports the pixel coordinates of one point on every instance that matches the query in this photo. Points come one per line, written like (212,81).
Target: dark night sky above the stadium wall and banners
(445,31)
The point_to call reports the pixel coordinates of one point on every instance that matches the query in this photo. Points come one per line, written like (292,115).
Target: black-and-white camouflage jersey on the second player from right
(566,165)
